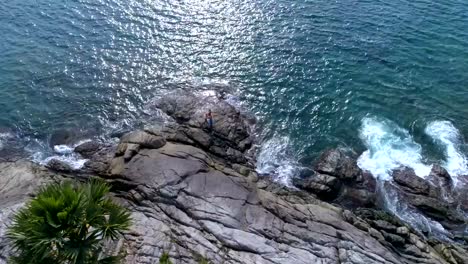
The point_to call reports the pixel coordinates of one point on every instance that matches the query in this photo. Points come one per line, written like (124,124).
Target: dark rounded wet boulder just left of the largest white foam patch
(336,163)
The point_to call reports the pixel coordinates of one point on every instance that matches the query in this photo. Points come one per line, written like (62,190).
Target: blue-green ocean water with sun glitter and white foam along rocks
(388,79)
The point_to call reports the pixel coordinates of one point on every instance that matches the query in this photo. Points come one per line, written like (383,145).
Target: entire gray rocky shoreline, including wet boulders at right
(194,194)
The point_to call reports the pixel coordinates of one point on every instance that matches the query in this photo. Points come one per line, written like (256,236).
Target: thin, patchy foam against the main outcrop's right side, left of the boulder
(275,159)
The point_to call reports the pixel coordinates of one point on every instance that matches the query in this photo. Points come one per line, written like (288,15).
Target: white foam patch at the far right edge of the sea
(446,135)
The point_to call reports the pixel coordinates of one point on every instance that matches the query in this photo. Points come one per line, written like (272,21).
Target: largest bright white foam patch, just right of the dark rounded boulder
(389,147)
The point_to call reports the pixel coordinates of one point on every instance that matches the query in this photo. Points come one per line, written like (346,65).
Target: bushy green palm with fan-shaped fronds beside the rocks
(68,223)
